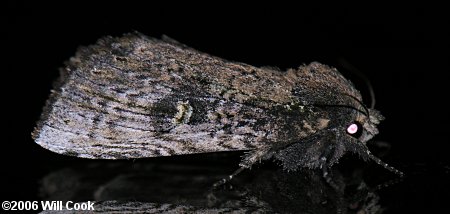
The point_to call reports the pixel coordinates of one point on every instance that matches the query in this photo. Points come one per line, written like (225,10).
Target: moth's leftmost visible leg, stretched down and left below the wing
(249,159)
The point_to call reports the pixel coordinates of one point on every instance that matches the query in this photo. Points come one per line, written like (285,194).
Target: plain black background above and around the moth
(402,50)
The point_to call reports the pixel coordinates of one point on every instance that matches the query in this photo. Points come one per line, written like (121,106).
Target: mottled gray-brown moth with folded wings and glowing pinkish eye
(137,97)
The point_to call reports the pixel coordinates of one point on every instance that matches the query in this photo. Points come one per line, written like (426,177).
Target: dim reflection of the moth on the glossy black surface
(260,191)
